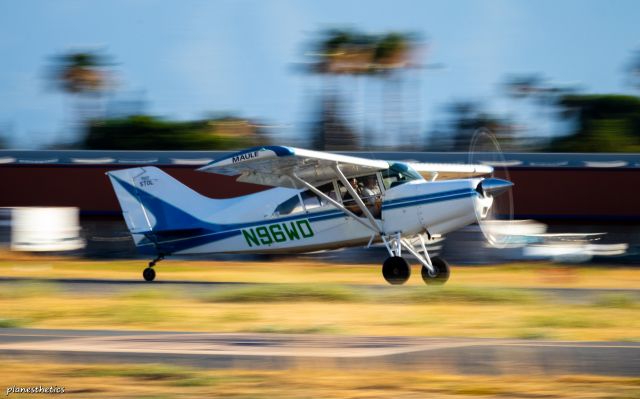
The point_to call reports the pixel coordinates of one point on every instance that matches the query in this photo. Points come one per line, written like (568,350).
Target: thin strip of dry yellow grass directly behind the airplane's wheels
(308,271)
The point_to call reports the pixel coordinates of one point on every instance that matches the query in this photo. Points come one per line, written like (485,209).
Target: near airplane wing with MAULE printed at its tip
(275,166)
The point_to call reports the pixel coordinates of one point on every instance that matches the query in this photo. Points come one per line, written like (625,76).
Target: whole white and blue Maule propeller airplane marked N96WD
(318,201)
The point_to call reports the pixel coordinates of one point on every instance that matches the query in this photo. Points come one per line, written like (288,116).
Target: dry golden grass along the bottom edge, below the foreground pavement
(168,381)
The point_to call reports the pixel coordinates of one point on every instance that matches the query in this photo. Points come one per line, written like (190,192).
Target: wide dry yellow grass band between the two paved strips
(332,309)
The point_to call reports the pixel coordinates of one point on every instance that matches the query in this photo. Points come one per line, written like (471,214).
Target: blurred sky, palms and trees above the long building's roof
(413,75)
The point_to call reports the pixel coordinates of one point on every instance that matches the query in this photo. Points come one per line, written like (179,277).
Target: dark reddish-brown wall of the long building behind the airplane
(572,193)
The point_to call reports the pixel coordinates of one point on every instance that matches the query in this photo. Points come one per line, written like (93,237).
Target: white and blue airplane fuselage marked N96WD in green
(249,225)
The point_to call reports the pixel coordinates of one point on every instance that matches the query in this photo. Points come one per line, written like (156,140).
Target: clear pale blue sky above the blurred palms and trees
(189,58)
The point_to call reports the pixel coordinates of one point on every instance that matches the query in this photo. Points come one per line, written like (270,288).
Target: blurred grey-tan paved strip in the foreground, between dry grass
(281,351)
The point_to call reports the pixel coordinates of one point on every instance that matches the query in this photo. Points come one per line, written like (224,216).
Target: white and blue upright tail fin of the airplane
(154,202)
